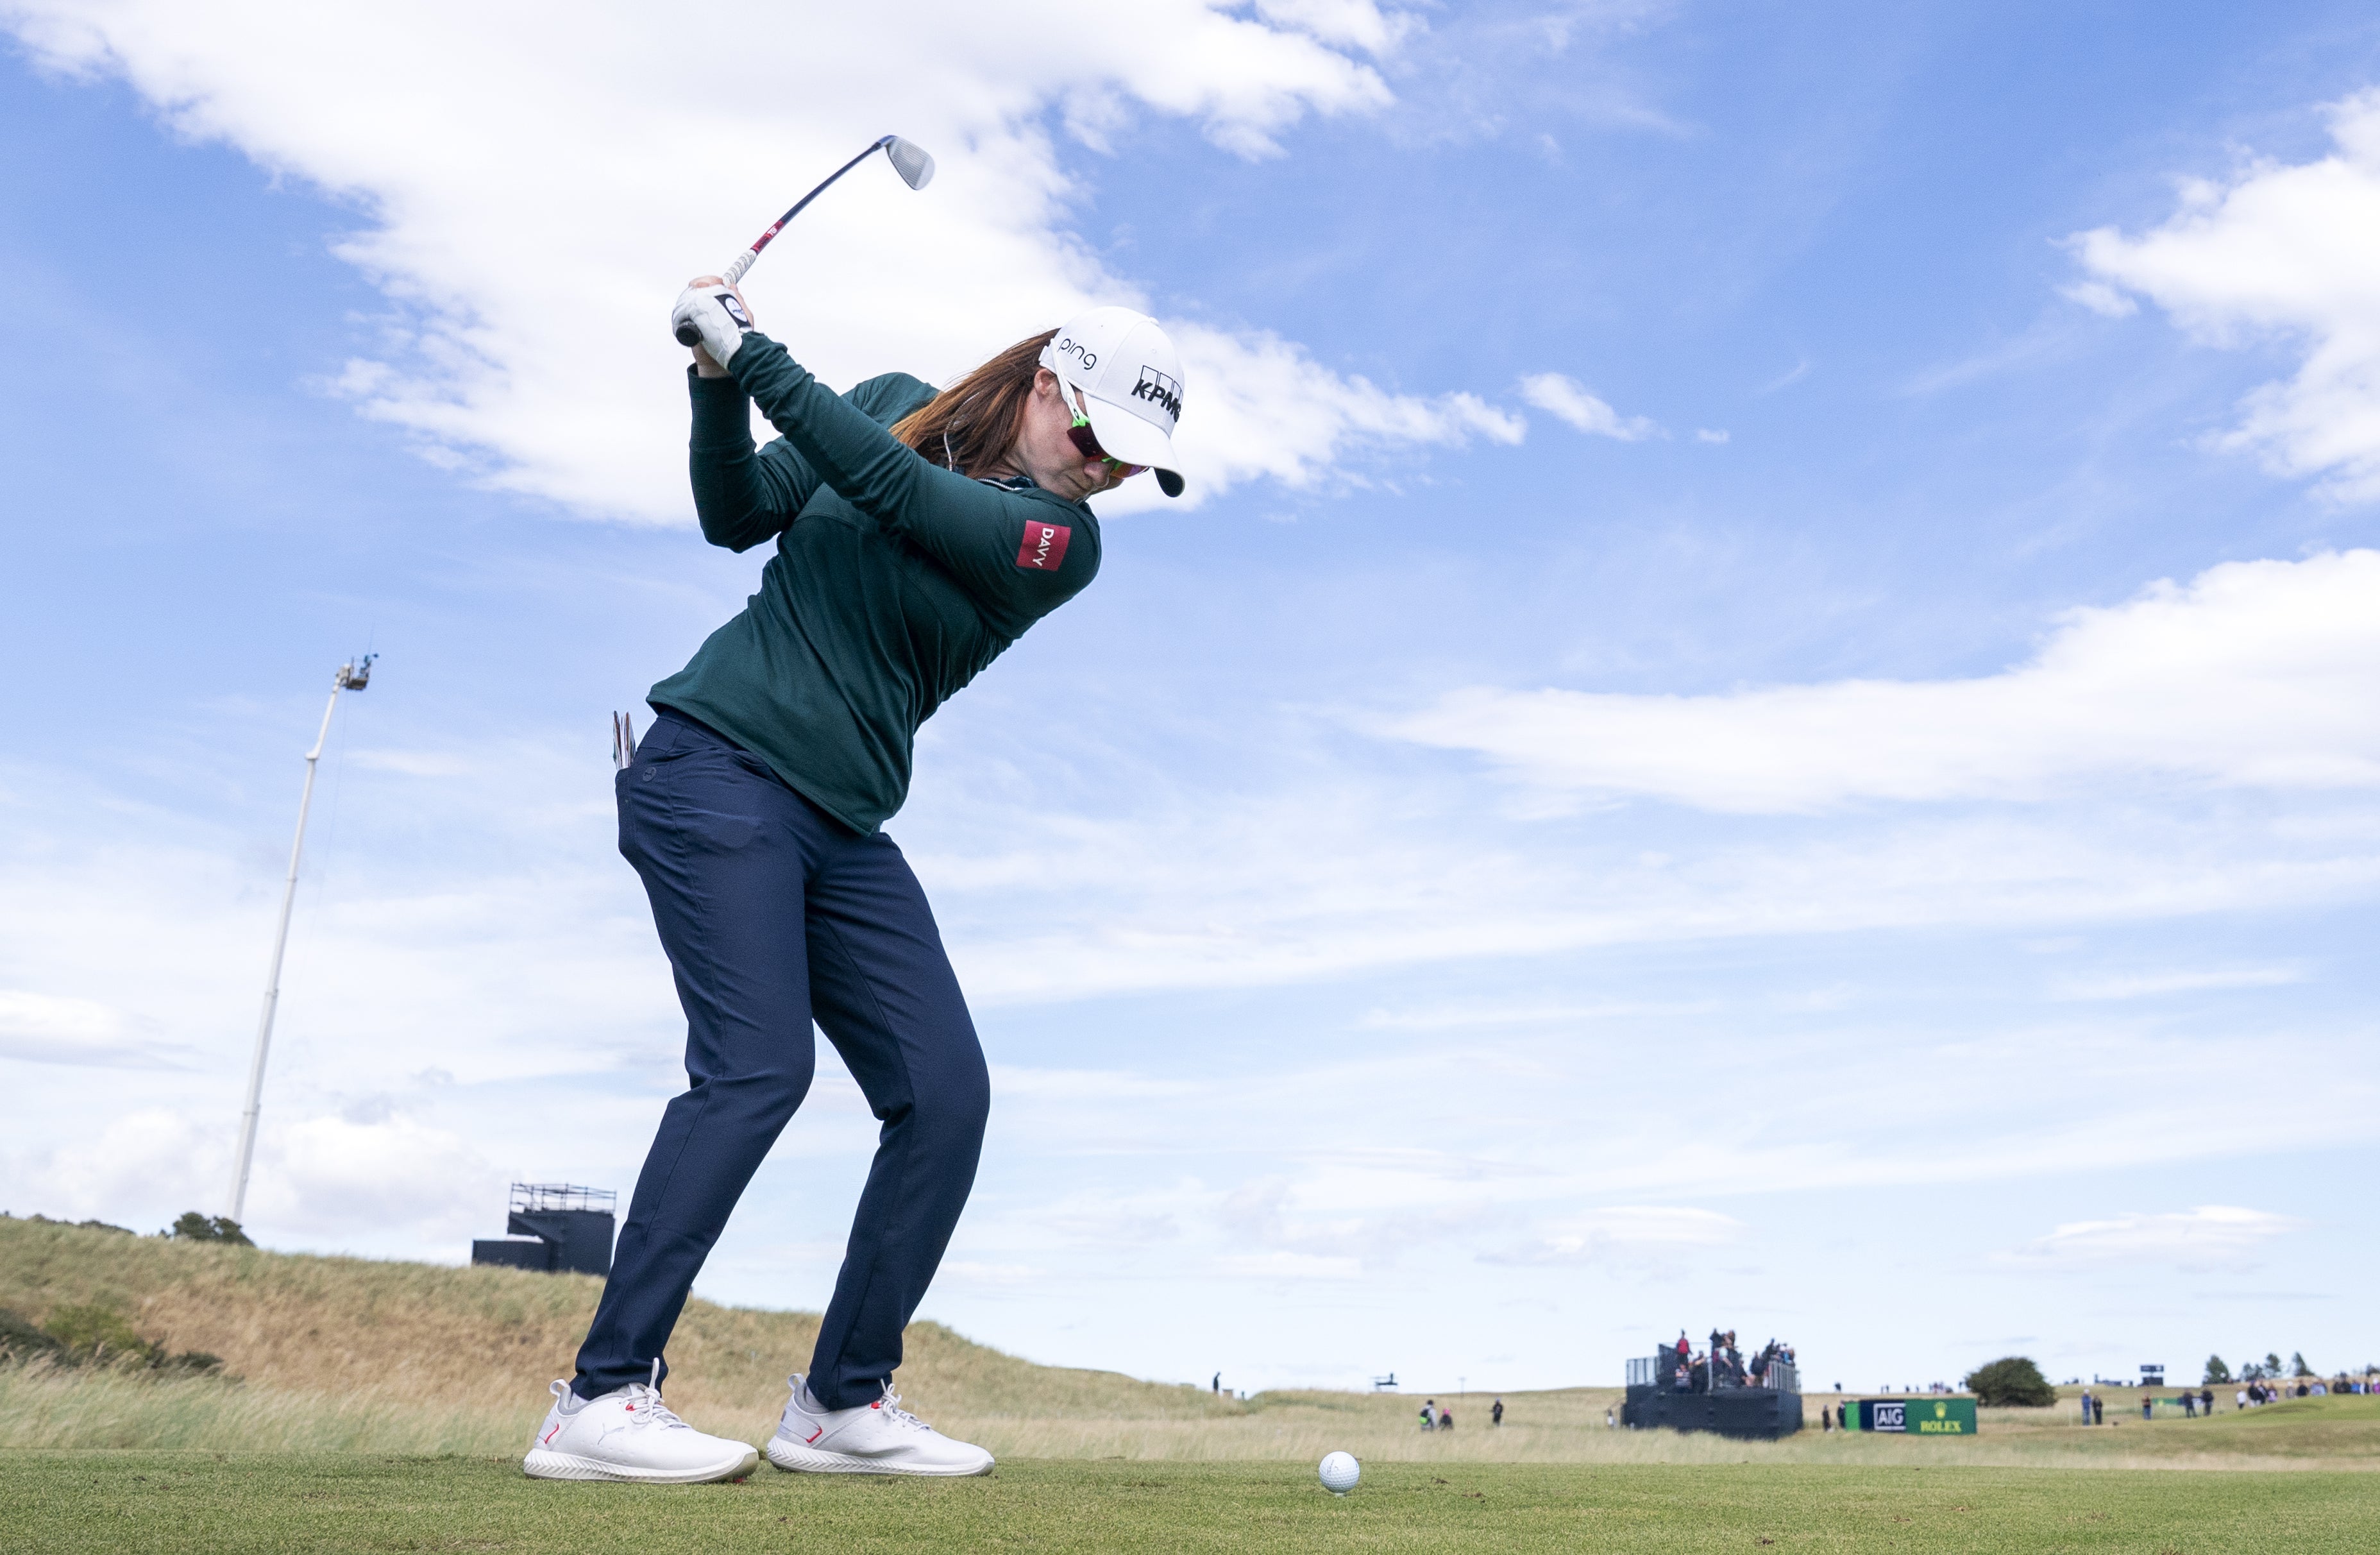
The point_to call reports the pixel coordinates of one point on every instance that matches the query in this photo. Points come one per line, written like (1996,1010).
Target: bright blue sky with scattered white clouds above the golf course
(1762,711)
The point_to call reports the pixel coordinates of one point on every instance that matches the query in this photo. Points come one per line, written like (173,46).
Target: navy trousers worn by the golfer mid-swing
(775,916)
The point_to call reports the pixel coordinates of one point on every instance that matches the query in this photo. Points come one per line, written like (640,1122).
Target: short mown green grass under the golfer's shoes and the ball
(199,1501)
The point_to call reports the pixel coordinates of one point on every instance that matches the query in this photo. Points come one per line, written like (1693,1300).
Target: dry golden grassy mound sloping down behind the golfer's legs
(389,1356)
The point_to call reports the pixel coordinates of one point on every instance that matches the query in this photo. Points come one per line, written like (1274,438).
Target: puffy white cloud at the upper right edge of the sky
(2286,251)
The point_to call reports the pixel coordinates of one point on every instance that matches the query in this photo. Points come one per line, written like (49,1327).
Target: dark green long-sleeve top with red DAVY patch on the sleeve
(894,580)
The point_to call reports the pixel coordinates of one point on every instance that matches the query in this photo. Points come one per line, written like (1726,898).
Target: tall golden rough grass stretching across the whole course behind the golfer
(346,1354)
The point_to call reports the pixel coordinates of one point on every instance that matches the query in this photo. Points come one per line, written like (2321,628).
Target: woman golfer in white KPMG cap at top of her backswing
(917,535)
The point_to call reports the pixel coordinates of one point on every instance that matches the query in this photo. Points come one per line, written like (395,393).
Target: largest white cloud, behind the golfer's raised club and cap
(530,225)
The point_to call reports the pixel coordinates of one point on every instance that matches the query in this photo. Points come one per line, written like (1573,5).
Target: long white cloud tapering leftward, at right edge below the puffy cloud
(2255,675)
